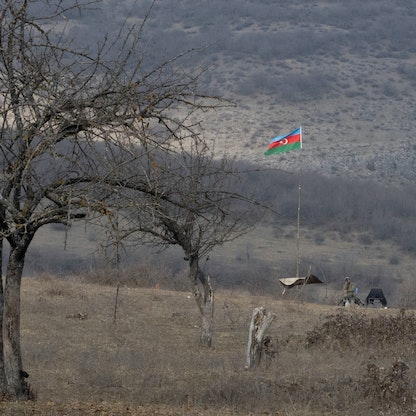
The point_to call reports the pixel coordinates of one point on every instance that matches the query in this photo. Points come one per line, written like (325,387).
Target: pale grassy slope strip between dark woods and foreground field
(253,262)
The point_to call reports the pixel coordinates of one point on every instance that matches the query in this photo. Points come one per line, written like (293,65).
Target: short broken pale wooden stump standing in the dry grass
(260,322)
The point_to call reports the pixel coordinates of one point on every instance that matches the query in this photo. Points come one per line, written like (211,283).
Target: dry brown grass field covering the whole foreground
(326,360)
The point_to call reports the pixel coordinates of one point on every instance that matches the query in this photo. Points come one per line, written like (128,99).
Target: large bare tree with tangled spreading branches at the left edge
(66,116)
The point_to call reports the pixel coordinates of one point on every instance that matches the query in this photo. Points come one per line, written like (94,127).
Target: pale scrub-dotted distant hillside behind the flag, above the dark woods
(343,70)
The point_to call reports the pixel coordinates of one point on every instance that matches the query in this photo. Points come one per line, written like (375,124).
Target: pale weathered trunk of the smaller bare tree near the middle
(204,300)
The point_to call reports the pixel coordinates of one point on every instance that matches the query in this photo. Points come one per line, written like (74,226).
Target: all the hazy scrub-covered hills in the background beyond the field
(343,70)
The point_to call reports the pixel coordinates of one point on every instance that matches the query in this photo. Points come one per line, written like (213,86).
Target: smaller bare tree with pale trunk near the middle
(189,198)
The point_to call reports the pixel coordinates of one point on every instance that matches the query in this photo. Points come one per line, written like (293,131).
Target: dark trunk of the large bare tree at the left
(16,385)
